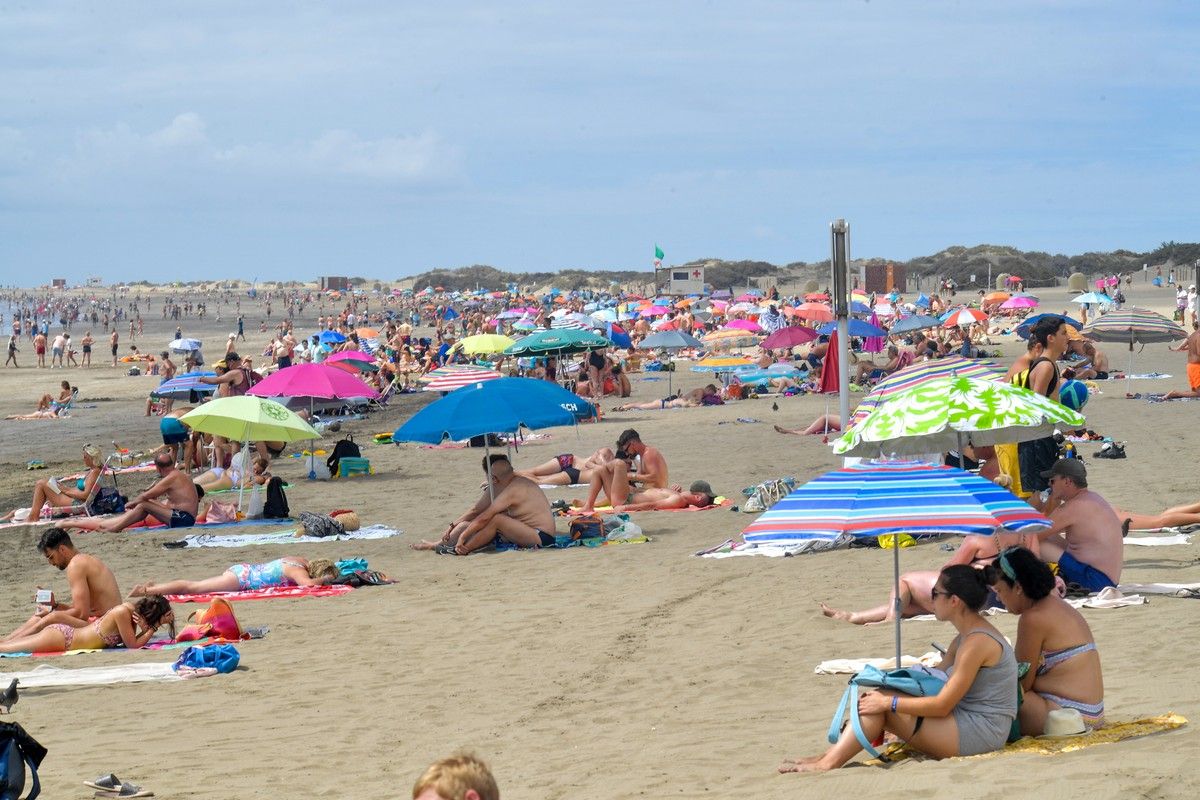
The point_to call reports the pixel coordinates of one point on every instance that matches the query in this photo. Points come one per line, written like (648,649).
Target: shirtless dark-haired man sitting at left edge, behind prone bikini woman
(94,590)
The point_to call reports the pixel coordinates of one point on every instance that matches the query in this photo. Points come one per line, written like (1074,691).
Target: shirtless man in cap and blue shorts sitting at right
(1087,537)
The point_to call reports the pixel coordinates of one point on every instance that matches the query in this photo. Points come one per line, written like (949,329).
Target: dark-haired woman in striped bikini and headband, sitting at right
(1052,636)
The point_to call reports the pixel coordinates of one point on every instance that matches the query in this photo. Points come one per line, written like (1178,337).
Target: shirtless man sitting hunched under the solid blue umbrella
(520,514)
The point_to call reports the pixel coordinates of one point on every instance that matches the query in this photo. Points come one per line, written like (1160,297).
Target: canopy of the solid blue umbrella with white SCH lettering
(501,406)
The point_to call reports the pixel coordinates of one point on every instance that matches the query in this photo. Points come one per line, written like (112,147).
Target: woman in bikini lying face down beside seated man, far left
(131,624)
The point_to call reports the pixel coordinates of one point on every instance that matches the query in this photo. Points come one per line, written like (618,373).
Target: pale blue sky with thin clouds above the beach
(275,141)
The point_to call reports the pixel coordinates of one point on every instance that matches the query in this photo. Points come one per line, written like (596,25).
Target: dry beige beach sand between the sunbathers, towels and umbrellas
(627,672)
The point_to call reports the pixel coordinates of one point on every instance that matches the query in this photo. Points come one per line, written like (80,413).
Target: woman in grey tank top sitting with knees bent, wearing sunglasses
(974,712)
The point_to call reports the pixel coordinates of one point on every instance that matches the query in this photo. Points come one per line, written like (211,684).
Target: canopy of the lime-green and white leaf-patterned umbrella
(952,413)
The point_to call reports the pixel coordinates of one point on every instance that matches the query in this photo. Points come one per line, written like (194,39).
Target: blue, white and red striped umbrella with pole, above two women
(871,500)
